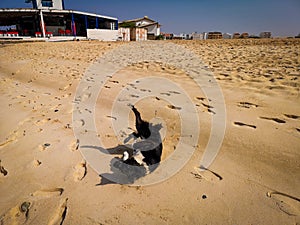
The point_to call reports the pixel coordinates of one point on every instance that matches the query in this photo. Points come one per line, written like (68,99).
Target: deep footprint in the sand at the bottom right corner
(286,203)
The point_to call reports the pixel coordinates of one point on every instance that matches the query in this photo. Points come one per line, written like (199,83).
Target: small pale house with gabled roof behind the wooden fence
(152,27)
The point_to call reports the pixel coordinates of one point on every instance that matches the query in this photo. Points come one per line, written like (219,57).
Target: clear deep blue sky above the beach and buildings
(281,17)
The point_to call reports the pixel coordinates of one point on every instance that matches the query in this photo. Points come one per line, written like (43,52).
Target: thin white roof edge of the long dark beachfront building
(28,10)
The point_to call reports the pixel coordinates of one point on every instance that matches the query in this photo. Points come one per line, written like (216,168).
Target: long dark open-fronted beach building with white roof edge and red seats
(49,18)
